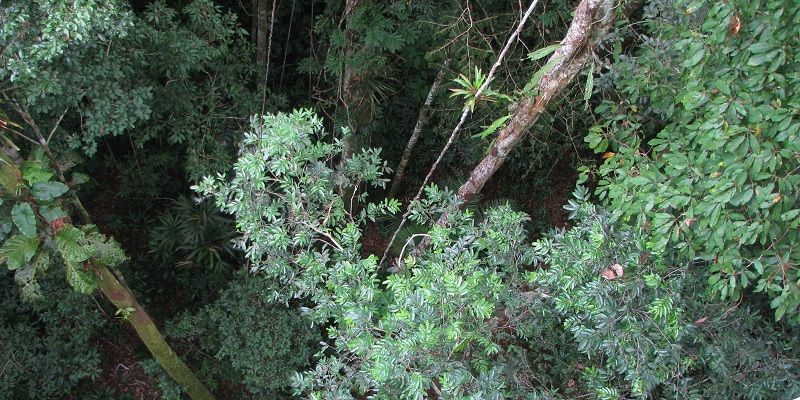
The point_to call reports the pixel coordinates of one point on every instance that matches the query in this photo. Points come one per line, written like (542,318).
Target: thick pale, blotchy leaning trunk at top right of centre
(592,17)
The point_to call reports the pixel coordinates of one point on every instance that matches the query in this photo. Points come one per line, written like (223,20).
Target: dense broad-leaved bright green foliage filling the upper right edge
(703,137)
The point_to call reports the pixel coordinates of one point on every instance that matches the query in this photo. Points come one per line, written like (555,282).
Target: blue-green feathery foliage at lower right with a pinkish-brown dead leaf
(642,329)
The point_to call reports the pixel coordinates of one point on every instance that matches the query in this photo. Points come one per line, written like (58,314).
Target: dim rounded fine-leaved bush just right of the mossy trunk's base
(256,342)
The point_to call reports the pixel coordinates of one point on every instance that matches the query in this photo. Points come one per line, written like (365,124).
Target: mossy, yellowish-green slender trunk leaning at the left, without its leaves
(112,285)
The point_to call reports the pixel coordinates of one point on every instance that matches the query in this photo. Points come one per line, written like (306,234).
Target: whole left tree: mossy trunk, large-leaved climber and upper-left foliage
(35,35)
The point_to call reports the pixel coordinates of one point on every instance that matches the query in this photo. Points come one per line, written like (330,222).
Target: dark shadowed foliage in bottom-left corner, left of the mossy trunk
(46,347)
